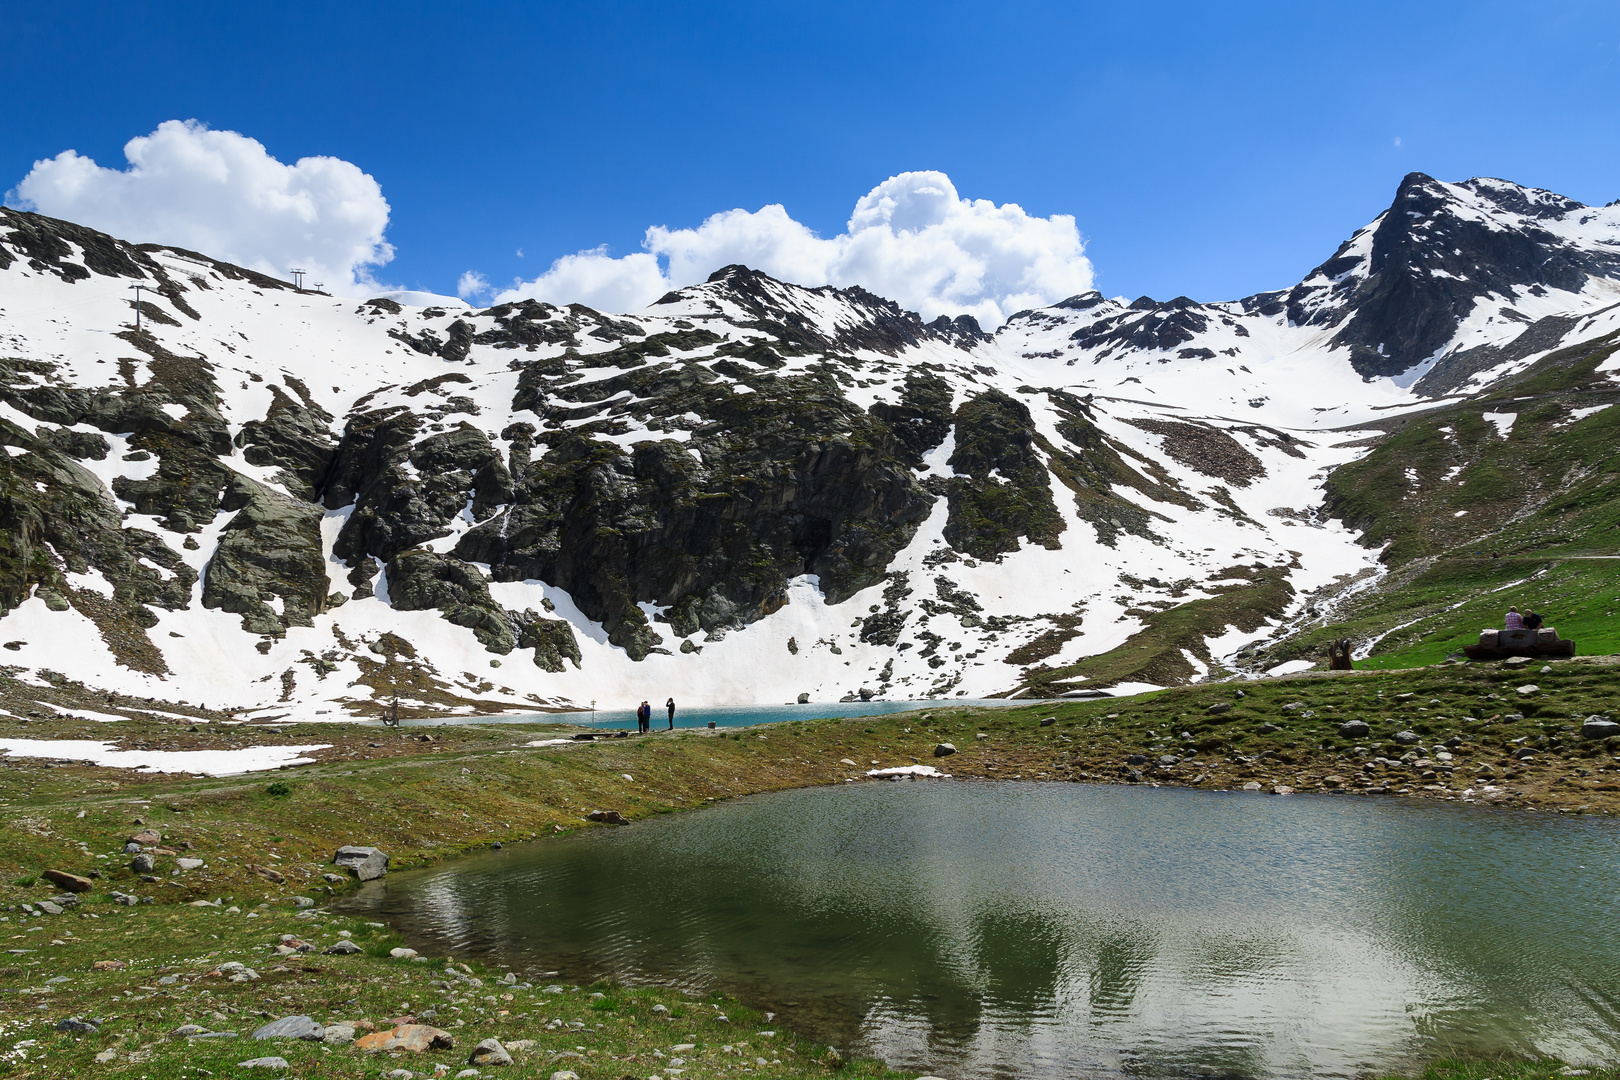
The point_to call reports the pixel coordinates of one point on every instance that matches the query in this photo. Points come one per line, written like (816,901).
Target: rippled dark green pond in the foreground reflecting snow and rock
(1049,929)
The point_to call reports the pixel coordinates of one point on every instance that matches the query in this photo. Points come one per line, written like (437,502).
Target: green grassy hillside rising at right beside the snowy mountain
(1465,514)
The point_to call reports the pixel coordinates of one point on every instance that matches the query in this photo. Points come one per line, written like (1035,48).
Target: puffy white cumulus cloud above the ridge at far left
(224,195)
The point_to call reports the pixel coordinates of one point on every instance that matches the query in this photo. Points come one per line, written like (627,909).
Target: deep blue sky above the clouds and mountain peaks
(1213,150)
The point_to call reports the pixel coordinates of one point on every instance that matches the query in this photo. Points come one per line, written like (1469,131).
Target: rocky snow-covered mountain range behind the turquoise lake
(273,500)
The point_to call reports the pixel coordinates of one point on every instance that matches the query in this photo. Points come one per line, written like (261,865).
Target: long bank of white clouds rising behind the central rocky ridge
(913,239)
